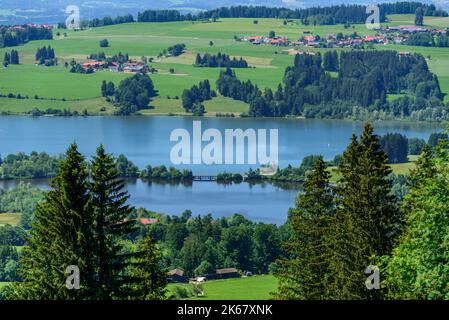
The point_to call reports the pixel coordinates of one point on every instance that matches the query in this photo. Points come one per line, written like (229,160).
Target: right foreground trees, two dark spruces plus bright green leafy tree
(344,232)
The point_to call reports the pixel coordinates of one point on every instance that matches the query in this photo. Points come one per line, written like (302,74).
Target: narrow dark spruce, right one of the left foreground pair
(110,211)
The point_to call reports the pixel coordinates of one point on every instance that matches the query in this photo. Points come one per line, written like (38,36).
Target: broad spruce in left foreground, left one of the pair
(59,237)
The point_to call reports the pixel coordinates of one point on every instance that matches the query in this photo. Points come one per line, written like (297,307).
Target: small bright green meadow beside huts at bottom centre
(247,288)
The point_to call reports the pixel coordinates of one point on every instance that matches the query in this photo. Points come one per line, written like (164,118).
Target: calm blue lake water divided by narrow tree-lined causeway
(145,140)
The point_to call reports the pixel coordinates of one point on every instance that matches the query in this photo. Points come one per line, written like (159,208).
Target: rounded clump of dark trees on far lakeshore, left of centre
(134,94)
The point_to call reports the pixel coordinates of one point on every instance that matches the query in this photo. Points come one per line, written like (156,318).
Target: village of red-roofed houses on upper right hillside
(384,36)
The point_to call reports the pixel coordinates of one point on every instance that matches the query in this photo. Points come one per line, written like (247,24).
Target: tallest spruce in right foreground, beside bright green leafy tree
(366,216)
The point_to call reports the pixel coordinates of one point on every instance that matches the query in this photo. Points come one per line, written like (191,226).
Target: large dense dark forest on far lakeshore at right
(364,80)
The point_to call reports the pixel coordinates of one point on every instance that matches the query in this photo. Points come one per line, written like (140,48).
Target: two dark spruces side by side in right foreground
(338,231)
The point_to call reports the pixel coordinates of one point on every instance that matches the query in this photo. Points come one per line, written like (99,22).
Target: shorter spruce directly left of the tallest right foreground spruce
(305,274)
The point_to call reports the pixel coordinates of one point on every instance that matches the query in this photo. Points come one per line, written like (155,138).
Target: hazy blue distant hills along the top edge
(52,11)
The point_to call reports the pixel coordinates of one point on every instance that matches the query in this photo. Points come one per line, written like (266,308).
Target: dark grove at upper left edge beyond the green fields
(14,36)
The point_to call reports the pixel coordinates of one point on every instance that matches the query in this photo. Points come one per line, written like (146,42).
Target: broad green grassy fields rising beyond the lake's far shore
(82,91)
